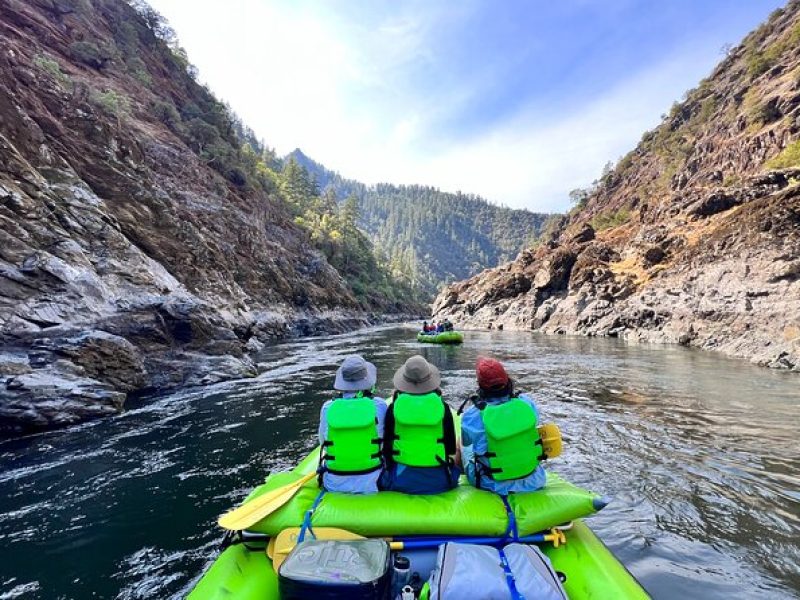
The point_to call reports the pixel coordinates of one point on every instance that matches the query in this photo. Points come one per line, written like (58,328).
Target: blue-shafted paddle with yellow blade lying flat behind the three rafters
(286,541)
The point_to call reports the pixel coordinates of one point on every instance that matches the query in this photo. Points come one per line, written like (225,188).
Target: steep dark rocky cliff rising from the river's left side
(132,255)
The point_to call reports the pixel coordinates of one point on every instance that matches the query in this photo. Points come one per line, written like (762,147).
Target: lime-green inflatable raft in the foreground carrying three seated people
(243,571)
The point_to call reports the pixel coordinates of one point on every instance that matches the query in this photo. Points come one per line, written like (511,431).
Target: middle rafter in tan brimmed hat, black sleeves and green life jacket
(420,438)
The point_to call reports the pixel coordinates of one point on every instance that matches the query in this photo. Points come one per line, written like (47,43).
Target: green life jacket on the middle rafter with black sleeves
(419,430)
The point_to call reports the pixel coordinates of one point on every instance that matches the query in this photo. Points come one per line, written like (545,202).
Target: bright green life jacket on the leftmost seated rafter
(352,445)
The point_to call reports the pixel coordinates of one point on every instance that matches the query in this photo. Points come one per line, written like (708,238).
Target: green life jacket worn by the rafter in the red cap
(515,448)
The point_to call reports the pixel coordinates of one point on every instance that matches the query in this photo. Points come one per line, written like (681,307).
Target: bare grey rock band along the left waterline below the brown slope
(67,374)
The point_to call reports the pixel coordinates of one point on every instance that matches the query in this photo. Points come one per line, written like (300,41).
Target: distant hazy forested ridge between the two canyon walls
(427,237)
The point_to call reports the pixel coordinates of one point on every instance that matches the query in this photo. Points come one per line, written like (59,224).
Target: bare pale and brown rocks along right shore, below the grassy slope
(705,284)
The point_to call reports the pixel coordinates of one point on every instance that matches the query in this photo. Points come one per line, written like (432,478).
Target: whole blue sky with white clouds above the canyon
(519,101)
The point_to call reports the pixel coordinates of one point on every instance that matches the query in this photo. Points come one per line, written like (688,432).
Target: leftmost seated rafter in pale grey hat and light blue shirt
(351,430)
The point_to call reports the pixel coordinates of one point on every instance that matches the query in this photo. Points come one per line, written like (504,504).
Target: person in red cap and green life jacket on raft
(501,447)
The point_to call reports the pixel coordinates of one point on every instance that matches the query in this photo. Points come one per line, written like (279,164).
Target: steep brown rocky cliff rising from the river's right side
(694,237)
